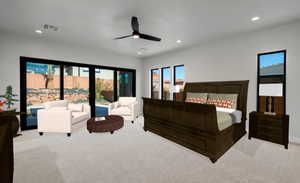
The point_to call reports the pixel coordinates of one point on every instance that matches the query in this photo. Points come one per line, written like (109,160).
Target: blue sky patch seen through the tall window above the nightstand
(271,59)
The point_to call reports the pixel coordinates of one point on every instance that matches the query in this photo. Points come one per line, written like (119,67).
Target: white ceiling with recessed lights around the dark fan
(96,22)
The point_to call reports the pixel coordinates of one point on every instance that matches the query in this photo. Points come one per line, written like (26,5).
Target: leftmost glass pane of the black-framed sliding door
(42,85)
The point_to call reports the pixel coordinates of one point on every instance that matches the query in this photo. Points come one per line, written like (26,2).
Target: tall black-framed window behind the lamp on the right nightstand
(271,82)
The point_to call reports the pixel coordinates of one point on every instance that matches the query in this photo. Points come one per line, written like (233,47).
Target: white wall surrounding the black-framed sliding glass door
(14,46)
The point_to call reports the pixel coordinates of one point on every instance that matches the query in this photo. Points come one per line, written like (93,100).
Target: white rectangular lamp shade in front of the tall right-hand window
(275,90)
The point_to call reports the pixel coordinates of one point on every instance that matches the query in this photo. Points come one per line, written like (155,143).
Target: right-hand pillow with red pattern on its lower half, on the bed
(223,100)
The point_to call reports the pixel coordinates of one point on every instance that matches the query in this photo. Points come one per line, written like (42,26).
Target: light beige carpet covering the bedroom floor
(131,155)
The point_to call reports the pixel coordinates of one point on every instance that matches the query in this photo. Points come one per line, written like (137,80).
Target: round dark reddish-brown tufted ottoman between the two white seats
(110,124)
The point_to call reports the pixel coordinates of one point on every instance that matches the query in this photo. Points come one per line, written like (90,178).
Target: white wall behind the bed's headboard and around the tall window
(235,58)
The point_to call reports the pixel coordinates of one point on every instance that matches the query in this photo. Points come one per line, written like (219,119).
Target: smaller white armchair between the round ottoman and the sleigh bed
(127,107)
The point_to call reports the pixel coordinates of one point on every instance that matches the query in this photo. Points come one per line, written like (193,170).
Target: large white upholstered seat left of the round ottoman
(59,116)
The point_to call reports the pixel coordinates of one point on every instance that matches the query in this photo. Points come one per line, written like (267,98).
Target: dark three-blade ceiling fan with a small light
(136,33)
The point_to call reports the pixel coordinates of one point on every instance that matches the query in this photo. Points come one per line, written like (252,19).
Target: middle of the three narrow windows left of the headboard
(166,82)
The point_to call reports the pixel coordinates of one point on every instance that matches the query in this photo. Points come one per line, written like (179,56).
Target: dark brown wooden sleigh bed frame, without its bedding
(195,125)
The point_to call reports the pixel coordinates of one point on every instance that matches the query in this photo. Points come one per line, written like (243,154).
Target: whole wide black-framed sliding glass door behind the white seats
(49,80)
